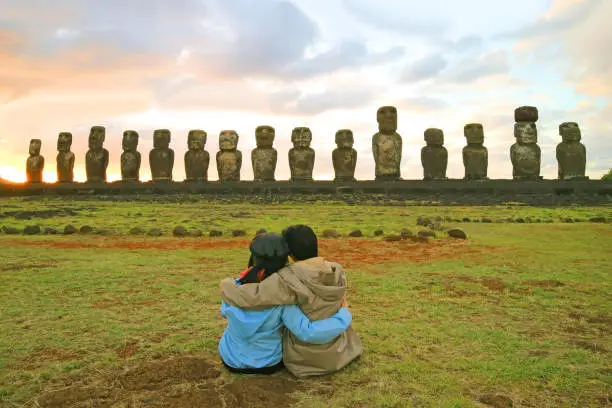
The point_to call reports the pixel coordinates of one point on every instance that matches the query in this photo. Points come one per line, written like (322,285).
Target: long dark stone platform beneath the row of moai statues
(448,192)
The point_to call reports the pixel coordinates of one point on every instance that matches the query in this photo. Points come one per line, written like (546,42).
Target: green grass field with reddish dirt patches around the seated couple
(520,314)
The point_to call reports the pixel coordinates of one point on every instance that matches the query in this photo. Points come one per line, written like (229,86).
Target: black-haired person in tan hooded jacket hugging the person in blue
(319,288)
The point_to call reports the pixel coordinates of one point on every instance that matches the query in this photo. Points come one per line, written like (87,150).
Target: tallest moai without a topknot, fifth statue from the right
(387,145)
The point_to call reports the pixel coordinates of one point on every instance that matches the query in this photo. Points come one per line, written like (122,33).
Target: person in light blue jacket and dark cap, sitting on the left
(252,341)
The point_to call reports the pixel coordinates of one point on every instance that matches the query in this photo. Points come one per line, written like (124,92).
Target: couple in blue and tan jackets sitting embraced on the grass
(288,309)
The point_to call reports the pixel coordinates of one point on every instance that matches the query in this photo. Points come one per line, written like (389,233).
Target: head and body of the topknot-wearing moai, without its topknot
(525,154)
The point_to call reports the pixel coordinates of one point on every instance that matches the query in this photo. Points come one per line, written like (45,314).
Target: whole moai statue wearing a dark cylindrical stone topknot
(525,153)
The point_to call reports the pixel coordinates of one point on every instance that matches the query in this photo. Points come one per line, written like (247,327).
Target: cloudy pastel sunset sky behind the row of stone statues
(68,65)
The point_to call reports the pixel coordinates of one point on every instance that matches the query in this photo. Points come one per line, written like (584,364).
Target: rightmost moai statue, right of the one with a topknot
(571,154)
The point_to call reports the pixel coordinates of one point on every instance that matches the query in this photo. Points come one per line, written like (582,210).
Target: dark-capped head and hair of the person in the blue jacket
(269,254)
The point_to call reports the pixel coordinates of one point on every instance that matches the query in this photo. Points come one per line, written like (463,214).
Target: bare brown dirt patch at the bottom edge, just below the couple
(186,381)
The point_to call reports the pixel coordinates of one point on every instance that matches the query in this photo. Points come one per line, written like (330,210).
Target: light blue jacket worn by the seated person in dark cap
(253,338)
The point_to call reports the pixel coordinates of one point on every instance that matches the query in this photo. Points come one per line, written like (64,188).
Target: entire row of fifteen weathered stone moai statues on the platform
(525,154)
